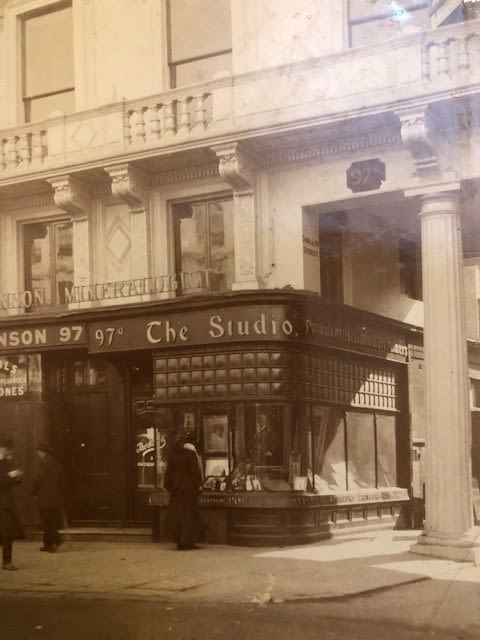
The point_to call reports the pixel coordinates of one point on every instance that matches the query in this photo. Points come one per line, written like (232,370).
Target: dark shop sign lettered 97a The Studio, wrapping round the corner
(241,324)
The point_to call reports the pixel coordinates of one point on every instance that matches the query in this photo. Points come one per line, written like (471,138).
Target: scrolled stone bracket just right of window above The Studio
(236,166)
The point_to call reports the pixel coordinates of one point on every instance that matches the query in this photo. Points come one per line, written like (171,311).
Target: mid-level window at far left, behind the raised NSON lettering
(48,262)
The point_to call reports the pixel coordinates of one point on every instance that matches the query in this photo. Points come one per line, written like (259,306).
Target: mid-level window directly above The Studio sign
(204,246)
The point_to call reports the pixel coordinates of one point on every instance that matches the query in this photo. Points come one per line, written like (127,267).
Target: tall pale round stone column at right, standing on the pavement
(449,531)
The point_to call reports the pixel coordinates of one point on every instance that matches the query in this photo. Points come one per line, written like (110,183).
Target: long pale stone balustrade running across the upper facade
(444,59)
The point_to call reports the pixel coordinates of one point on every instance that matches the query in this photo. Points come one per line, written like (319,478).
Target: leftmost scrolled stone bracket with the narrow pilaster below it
(74,196)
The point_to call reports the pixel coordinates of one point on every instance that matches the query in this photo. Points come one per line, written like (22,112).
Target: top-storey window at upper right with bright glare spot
(380,20)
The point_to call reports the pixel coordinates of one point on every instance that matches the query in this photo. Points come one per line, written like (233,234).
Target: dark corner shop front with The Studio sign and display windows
(299,408)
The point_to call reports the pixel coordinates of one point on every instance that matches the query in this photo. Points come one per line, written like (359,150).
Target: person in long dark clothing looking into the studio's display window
(183,480)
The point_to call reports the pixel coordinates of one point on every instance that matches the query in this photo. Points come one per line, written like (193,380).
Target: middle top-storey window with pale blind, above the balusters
(200,40)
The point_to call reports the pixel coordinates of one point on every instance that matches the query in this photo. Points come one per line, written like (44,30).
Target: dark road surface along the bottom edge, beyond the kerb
(63,617)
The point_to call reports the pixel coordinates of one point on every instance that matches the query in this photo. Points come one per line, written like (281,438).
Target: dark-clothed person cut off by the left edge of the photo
(10,526)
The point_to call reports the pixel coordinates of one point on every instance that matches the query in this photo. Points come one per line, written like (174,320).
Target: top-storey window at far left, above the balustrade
(48,64)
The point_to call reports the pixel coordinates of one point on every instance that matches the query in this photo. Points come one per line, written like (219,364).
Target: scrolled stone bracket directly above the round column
(419,138)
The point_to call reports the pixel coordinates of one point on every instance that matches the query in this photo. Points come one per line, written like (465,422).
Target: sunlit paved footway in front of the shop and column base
(360,574)
